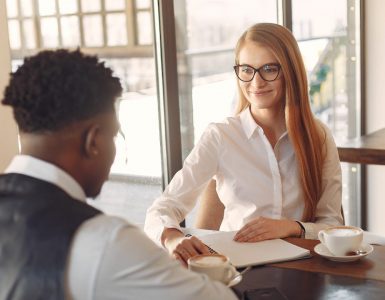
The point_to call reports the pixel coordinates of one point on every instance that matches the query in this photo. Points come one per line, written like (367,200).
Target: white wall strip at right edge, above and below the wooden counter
(375,106)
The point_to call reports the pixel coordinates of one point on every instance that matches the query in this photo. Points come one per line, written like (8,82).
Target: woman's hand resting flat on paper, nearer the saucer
(260,229)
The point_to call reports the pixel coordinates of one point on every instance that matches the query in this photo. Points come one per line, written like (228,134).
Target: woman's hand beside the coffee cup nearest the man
(181,247)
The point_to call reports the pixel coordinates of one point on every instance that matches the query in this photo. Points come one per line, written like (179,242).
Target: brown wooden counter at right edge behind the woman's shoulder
(366,149)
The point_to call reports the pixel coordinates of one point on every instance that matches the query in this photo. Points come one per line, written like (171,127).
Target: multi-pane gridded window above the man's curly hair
(108,28)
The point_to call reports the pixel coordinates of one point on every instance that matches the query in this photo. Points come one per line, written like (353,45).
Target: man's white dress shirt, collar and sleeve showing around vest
(112,259)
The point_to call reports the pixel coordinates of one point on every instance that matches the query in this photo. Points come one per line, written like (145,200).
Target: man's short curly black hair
(56,88)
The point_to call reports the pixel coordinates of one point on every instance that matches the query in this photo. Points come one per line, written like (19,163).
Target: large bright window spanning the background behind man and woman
(121,33)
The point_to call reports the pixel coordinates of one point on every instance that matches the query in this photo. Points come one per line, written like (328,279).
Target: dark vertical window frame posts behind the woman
(170,106)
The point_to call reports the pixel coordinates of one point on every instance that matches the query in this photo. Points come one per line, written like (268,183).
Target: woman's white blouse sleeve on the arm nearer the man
(180,196)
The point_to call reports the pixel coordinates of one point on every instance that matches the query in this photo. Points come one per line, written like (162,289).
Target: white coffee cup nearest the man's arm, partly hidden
(216,266)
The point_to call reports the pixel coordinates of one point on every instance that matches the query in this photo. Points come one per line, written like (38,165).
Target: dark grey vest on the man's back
(37,223)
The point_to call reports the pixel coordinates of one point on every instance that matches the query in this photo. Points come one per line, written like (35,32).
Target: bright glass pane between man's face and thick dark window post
(136,173)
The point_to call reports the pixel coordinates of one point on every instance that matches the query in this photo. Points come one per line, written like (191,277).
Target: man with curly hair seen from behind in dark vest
(52,244)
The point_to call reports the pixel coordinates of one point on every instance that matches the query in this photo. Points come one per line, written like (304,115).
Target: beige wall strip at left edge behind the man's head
(8,129)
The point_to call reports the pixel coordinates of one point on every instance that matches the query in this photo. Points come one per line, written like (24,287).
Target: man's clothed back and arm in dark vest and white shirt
(79,252)
